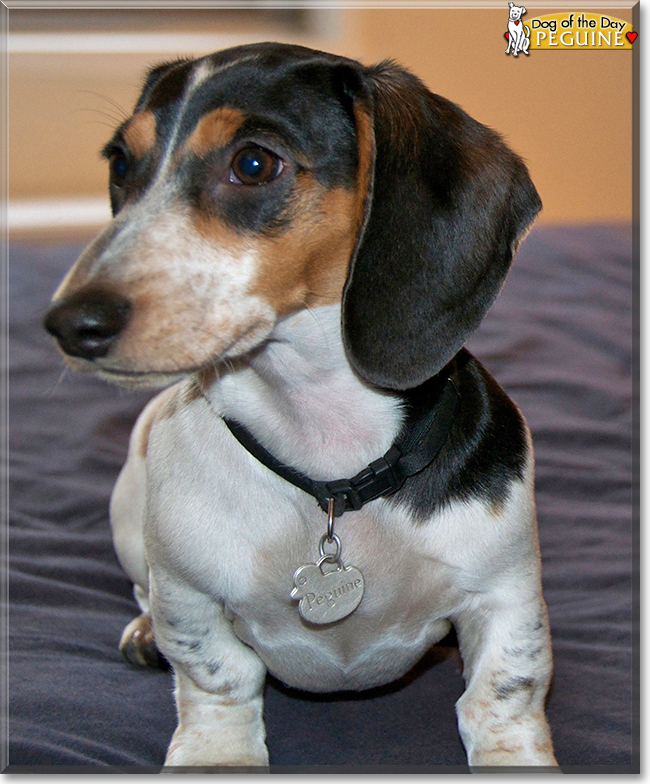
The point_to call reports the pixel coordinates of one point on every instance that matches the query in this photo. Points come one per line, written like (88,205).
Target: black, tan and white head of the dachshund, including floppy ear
(267,178)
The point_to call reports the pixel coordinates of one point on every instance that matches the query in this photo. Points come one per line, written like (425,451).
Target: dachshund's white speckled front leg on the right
(507,665)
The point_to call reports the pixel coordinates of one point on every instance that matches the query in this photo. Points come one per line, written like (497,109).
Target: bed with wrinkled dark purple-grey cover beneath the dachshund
(559,339)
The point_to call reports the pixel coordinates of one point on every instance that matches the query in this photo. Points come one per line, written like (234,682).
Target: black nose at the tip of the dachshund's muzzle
(87,324)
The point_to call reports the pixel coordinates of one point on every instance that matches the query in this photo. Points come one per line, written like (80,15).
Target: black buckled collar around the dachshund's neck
(422,438)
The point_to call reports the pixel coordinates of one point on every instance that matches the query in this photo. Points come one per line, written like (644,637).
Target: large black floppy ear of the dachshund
(447,203)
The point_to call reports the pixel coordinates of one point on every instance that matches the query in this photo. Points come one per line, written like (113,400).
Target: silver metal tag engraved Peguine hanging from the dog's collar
(326,597)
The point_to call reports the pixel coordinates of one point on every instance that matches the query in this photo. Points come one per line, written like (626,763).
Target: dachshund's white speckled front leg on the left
(219,681)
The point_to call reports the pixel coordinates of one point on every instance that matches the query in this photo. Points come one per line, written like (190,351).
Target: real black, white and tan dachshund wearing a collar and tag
(301,245)
